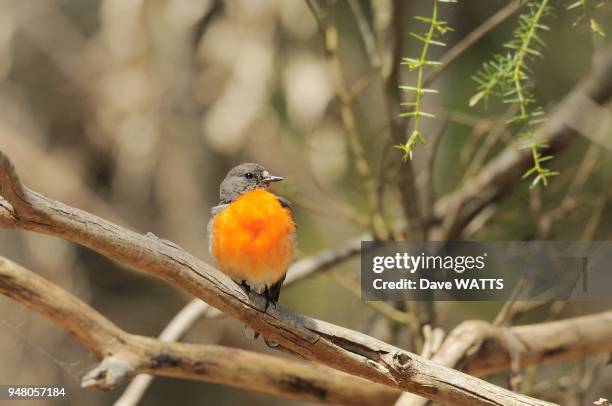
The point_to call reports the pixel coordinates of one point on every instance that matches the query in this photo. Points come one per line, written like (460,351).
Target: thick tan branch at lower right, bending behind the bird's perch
(480,348)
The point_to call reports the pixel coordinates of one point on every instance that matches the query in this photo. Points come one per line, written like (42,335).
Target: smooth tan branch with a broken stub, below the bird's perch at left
(123,355)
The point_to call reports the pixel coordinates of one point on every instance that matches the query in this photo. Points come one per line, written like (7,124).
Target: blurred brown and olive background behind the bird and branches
(134,111)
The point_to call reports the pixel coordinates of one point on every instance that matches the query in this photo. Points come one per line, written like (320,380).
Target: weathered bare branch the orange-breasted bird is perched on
(331,345)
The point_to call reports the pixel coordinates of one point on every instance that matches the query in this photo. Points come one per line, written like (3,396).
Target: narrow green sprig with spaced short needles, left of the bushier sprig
(436,28)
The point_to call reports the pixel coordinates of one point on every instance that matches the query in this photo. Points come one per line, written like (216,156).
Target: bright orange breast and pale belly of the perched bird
(253,239)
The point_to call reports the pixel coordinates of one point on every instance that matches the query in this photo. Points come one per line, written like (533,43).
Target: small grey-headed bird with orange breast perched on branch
(252,231)
